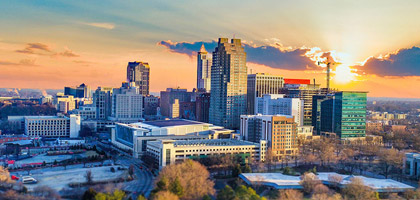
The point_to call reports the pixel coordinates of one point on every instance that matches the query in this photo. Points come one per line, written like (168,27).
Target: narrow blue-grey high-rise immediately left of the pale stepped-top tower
(102,101)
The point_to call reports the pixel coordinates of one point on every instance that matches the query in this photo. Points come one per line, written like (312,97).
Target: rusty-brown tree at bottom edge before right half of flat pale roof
(356,189)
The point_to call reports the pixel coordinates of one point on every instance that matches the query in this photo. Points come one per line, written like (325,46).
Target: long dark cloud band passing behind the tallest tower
(275,56)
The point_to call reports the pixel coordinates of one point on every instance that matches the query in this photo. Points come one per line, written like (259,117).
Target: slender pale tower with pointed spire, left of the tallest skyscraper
(203,70)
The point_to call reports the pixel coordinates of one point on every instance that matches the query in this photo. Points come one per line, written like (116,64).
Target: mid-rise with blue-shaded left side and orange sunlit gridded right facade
(280,132)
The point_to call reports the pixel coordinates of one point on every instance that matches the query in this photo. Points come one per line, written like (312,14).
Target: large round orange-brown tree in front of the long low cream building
(193,176)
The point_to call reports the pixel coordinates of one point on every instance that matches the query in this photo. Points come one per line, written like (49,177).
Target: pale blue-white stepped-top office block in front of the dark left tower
(127,104)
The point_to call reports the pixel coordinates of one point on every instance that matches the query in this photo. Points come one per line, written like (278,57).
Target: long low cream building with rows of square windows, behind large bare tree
(166,152)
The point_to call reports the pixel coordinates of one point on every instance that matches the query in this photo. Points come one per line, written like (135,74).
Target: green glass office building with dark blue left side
(344,114)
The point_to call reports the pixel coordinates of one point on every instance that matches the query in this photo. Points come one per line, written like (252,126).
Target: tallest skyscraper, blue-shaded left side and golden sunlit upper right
(228,84)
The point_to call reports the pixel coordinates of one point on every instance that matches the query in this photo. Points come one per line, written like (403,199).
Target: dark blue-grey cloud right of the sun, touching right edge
(404,62)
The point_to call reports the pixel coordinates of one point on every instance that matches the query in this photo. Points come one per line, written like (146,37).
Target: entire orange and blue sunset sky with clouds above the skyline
(51,44)
